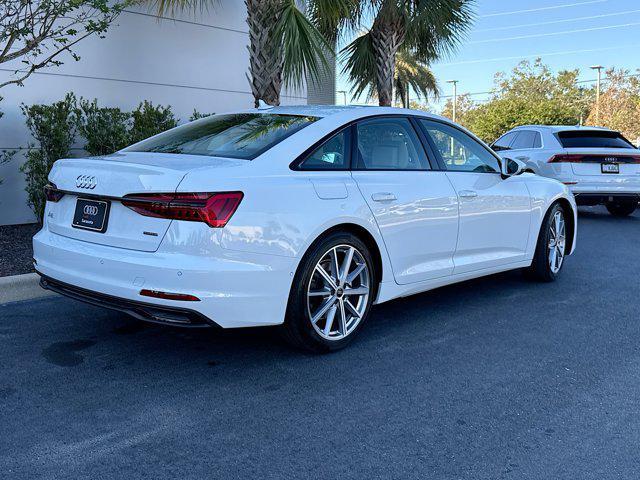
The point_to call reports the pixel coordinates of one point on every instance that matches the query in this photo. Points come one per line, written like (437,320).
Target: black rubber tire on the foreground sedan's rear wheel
(298,329)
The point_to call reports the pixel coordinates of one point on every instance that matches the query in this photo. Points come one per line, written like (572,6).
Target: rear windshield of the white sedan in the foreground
(243,135)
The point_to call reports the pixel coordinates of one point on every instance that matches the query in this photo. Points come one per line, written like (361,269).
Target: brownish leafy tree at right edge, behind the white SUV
(619,104)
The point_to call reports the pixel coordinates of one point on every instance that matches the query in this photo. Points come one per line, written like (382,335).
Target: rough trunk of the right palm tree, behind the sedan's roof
(387,35)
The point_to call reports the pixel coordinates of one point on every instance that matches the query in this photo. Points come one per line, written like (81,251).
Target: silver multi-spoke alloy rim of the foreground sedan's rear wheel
(338,292)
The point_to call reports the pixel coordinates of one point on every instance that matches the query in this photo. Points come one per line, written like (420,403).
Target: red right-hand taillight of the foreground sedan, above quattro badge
(214,209)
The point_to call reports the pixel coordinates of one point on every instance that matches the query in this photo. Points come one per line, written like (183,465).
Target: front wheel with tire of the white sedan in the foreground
(551,248)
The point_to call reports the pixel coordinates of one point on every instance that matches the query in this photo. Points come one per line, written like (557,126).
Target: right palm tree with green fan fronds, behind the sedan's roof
(424,29)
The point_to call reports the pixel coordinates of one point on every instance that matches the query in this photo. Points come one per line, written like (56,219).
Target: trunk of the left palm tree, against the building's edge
(265,52)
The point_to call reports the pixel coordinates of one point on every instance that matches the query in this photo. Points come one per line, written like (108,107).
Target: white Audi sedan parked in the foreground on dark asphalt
(295,216)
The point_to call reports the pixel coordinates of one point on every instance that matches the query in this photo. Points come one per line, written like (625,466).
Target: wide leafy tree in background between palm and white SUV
(530,94)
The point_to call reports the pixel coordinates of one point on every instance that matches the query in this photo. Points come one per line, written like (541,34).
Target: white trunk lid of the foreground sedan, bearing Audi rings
(100,182)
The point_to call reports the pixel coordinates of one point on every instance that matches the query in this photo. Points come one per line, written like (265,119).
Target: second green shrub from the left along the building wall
(106,130)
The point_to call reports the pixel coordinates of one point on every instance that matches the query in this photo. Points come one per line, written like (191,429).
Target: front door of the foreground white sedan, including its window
(495,213)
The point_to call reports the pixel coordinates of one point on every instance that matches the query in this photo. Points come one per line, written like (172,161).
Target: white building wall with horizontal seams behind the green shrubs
(200,61)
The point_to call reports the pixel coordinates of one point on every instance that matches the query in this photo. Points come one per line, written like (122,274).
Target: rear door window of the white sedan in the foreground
(389,144)
